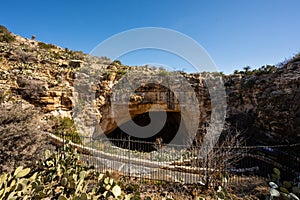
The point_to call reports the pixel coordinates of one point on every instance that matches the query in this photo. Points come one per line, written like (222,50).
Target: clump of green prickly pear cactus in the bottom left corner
(60,176)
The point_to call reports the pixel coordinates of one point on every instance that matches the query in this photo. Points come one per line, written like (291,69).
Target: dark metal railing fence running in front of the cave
(150,160)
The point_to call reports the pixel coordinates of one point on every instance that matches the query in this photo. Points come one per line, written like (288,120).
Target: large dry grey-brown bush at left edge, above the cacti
(21,141)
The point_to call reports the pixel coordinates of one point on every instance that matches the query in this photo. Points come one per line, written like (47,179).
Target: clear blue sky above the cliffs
(235,33)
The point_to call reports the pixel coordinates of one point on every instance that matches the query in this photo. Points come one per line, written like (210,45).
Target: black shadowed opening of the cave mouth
(153,143)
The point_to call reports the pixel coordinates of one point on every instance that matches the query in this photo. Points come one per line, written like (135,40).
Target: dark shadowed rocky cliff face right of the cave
(267,105)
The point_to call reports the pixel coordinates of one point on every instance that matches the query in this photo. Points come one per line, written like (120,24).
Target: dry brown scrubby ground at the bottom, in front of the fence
(246,188)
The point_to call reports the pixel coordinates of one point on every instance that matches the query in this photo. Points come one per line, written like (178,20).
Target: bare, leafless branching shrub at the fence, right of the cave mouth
(223,156)
